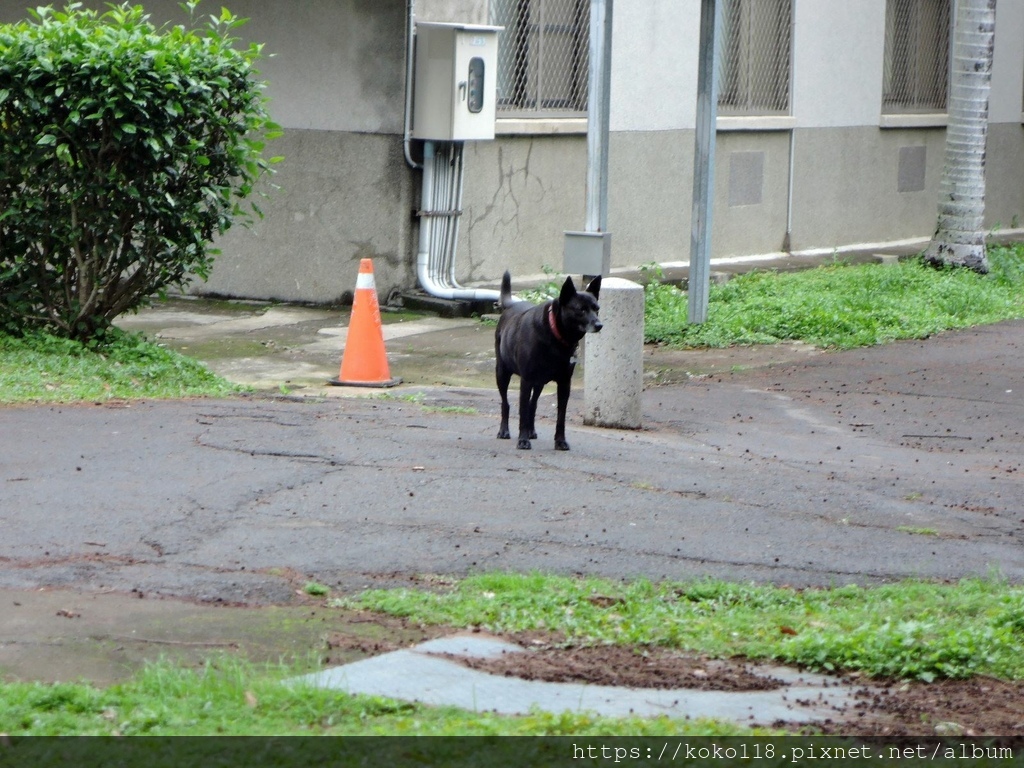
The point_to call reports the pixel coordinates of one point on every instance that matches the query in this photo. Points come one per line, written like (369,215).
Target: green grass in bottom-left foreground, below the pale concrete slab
(229,697)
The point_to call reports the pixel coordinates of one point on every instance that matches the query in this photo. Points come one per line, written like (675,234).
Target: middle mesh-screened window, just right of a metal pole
(754,58)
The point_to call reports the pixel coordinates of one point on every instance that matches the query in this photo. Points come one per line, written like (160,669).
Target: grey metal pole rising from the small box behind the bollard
(599,111)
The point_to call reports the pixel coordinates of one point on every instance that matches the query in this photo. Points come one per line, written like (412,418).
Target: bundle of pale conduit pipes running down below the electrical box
(441,207)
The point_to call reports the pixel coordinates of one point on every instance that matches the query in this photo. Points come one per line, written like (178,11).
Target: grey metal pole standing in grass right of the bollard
(704,162)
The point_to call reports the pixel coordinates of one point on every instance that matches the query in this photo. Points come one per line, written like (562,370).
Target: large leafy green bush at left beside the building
(125,151)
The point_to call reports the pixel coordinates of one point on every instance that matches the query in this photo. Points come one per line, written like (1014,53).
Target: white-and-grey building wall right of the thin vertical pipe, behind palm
(857,182)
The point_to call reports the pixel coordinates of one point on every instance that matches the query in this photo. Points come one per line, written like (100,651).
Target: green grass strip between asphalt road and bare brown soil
(909,630)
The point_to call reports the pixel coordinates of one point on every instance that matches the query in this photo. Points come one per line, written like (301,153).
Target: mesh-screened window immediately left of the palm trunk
(917,58)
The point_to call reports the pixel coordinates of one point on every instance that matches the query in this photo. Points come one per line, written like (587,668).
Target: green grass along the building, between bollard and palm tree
(841,306)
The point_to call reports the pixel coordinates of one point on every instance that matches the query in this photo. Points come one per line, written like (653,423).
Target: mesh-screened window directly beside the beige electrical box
(543,58)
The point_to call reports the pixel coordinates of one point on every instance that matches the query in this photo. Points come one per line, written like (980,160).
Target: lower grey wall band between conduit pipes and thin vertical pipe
(524,193)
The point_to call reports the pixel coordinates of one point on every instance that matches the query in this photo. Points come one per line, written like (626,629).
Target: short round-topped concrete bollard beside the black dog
(614,359)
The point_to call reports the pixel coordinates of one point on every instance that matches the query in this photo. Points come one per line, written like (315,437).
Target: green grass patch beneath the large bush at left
(45,369)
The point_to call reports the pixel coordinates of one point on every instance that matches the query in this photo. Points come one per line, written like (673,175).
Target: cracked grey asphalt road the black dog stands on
(856,467)
